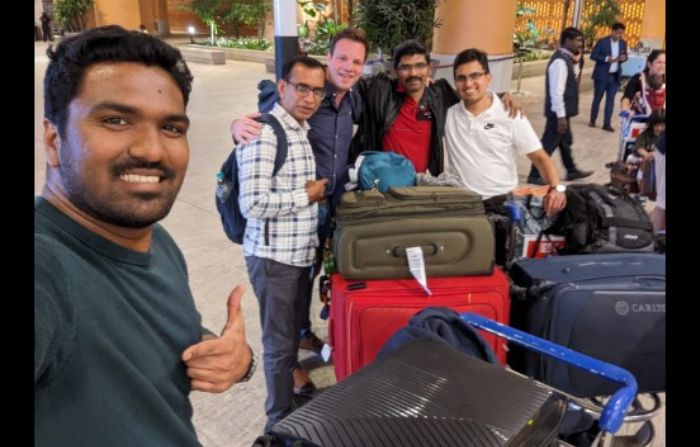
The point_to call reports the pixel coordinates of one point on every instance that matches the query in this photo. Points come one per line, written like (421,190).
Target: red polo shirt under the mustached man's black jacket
(410,136)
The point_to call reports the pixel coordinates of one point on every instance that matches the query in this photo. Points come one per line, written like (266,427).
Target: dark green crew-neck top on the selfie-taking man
(110,327)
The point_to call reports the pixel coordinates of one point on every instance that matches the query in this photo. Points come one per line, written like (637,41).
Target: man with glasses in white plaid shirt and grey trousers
(280,239)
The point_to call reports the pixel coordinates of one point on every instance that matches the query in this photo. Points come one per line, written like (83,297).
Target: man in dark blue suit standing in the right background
(608,53)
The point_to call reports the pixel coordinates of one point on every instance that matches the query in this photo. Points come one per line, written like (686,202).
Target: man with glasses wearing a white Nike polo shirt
(483,143)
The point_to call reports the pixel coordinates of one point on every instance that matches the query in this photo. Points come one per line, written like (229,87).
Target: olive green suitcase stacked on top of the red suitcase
(374,229)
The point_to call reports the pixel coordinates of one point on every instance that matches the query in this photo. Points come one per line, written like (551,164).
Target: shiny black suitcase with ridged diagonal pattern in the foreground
(425,393)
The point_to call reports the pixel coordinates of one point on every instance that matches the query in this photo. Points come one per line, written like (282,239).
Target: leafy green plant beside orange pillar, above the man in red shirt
(387,23)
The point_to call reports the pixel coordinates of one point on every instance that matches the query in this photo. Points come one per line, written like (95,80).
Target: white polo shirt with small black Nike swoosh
(483,149)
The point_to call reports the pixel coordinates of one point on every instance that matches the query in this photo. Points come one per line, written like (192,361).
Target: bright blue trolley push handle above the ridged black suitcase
(614,411)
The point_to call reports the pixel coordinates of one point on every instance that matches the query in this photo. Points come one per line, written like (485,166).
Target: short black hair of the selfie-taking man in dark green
(76,54)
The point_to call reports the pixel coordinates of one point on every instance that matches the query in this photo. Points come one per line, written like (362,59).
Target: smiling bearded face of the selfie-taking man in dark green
(124,154)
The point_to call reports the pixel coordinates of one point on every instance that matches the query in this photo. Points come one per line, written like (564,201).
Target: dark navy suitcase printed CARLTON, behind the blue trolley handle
(610,306)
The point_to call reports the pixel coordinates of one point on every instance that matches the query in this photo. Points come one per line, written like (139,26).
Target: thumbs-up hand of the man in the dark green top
(216,363)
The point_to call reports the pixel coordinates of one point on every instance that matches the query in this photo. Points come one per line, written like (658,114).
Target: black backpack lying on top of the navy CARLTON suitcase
(603,219)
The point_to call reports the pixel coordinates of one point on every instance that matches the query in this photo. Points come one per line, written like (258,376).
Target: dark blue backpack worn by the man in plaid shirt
(228,189)
